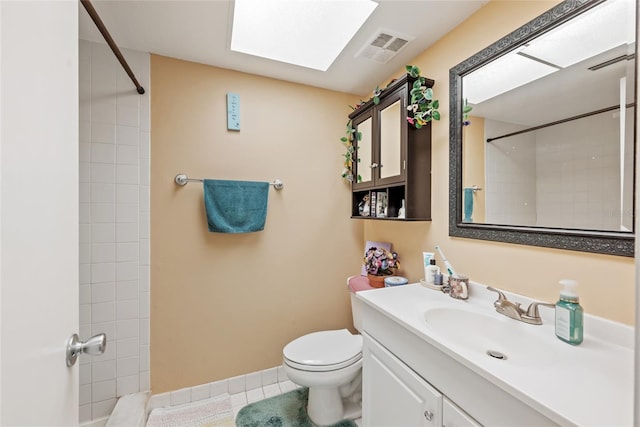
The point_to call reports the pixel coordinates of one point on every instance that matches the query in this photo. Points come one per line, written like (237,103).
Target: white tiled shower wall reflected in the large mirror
(566,176)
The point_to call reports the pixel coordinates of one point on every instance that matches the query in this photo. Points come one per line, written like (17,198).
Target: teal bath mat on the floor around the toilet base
(286,410)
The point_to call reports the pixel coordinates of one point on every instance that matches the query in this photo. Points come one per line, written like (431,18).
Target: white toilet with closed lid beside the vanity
(329,363)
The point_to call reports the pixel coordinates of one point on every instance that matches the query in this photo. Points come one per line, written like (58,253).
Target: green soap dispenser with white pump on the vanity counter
(569,314)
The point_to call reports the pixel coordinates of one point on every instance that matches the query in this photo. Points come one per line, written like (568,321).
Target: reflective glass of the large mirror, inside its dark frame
(549,140)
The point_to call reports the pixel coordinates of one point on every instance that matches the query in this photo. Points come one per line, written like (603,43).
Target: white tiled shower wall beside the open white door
(114,226)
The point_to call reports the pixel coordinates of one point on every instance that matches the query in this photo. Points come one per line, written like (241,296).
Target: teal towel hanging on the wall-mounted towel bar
(235,206)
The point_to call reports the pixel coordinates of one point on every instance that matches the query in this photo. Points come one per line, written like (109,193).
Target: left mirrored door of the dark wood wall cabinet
(364,164)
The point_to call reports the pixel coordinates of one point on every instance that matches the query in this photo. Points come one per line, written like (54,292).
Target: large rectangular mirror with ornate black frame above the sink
(545,156)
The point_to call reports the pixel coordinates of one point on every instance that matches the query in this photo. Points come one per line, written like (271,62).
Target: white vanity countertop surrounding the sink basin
(586,385)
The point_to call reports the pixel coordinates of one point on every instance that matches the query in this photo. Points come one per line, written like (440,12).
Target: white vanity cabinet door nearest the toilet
(394,395)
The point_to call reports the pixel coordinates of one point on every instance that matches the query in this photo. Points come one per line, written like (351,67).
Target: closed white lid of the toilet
(324,350)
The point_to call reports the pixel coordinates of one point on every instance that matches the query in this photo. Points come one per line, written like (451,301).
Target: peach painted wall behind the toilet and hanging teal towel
(225,304)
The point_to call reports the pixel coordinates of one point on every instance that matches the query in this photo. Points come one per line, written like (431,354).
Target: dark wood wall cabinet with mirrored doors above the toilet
(392,159)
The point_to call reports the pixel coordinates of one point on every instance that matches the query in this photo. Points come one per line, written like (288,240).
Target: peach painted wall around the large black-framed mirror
(606,282)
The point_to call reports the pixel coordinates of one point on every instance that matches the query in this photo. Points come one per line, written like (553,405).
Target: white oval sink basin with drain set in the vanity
(493,336)
